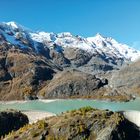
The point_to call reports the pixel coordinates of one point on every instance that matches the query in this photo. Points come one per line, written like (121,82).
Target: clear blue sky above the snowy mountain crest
(119,19)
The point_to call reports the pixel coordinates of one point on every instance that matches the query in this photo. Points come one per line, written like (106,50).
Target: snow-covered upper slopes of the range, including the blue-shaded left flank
(18,35)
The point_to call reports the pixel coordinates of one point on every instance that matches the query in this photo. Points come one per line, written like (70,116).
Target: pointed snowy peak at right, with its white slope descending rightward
(110,45)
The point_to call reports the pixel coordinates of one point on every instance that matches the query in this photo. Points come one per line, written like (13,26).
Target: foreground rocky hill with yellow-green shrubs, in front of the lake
(85,123)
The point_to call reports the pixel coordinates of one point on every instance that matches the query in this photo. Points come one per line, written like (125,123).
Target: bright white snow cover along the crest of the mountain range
(97,43)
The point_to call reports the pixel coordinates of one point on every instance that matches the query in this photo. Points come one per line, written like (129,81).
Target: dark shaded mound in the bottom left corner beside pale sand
(11,121)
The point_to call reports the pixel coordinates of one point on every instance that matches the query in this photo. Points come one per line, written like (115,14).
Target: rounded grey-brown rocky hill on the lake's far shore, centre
(72,83)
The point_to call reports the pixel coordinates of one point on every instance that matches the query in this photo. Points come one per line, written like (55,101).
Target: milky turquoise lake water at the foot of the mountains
(59,106)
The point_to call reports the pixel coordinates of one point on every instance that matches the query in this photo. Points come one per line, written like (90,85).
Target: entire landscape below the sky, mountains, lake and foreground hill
(66,68)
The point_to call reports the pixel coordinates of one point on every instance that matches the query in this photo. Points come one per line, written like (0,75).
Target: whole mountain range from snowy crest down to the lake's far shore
(42,65)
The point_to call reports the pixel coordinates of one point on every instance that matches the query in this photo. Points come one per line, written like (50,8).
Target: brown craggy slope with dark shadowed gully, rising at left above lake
(22,74)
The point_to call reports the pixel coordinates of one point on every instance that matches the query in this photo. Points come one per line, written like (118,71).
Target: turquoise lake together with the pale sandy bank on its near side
(39,109)
